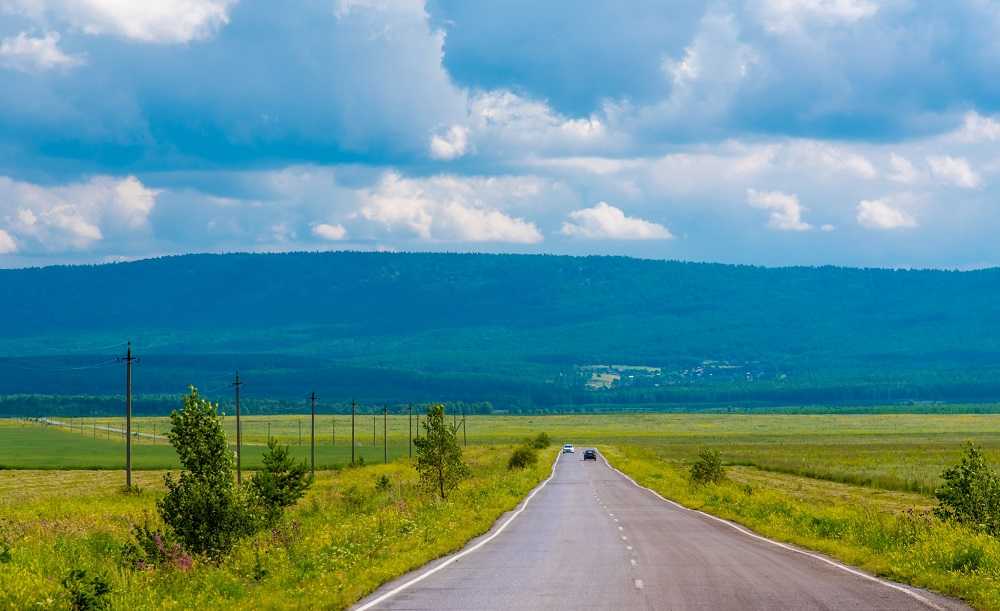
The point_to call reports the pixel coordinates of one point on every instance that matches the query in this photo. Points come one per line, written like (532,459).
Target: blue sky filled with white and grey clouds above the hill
(766,132)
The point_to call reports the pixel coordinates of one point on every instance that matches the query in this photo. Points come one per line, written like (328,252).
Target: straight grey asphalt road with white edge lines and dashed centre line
(592,539)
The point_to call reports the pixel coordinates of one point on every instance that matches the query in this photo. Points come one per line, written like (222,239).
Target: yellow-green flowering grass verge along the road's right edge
(881,536)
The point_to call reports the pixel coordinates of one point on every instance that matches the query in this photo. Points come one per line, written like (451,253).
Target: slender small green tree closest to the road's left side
(439,456)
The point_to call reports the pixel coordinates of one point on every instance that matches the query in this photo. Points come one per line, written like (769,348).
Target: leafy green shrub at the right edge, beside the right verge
(971,493)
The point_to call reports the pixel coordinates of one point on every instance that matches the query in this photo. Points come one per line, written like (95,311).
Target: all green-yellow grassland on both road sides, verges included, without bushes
(857,487)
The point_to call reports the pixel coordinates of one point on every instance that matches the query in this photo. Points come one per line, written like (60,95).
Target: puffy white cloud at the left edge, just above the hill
(75,216)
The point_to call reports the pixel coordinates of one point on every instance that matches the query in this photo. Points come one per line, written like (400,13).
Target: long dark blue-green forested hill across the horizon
(512,329)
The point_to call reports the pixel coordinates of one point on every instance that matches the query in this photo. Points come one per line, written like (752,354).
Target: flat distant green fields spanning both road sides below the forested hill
(902,452)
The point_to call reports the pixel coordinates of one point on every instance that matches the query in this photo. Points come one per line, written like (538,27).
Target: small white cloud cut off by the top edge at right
(787,16)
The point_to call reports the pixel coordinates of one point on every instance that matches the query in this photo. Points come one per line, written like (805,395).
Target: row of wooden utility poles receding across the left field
(237,384)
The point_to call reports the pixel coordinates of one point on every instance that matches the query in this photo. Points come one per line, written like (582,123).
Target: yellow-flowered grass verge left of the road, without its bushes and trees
(342,541)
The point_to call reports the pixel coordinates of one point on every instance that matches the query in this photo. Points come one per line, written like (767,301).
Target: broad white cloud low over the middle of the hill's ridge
(447,208)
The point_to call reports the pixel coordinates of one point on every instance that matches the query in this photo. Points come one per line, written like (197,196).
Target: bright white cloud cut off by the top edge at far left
(158,21)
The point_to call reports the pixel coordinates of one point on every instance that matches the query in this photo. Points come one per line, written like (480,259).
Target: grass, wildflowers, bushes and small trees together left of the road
(68,543)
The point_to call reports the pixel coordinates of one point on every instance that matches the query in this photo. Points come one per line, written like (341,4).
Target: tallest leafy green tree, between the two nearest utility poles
(203,507)
